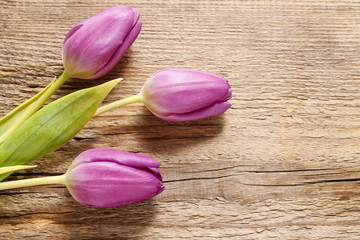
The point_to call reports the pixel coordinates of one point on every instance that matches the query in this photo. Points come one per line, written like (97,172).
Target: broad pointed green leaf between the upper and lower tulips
(52,126)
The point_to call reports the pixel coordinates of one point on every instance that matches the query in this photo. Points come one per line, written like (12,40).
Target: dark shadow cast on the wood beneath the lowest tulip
(132,219)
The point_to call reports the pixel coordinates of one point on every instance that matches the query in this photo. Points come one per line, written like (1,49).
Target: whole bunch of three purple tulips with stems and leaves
(103,178)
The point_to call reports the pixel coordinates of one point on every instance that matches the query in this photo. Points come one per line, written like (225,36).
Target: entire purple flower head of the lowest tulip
(104,178)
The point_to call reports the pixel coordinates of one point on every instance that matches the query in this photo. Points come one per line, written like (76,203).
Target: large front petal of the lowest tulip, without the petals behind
(108,184)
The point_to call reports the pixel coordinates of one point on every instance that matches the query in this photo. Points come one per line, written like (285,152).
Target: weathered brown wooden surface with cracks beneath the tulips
(282,163)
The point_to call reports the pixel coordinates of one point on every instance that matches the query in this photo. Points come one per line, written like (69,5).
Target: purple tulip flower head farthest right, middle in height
(183,95)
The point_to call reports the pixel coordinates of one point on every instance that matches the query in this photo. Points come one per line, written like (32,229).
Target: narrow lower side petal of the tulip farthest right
(213,110)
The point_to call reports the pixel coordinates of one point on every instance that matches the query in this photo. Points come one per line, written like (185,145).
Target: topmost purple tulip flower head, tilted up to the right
(93,47)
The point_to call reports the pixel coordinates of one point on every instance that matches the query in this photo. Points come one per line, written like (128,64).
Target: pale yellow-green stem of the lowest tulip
(32,182)
